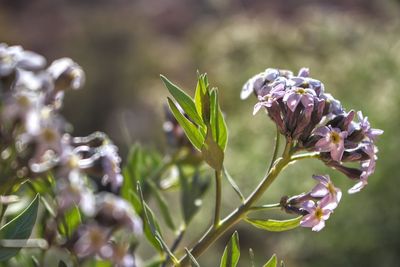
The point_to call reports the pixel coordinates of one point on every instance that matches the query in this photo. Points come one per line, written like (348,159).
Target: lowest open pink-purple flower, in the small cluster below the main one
(317,214)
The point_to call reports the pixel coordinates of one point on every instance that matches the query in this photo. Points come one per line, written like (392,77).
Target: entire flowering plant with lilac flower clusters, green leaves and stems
(93,213)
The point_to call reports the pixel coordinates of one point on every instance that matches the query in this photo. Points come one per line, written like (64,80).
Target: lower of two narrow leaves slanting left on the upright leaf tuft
(190,129)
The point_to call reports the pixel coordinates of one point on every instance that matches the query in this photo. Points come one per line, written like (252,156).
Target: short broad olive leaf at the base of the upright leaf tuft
(212,153)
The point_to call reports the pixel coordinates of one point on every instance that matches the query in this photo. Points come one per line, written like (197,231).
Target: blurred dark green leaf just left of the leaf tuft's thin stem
(192,191)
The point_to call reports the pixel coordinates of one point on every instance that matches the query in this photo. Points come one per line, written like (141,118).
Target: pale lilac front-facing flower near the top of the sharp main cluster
(298,95)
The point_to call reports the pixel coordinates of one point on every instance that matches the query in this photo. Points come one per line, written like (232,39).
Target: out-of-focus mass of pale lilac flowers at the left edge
(35,144)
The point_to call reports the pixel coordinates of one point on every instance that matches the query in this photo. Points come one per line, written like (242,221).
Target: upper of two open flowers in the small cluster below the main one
(327,191)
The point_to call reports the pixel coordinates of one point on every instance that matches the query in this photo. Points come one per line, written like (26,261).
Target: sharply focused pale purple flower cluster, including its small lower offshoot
(315,121)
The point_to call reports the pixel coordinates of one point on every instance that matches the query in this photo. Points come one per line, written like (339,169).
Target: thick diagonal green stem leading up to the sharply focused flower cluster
(238,214)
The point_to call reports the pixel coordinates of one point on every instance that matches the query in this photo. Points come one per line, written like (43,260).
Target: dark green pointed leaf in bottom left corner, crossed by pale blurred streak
(19,228)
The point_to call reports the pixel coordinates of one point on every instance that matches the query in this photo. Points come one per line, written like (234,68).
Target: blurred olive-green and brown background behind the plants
(351,45)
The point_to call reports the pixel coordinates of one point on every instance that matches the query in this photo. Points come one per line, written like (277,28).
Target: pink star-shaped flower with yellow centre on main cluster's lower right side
(332,141)
